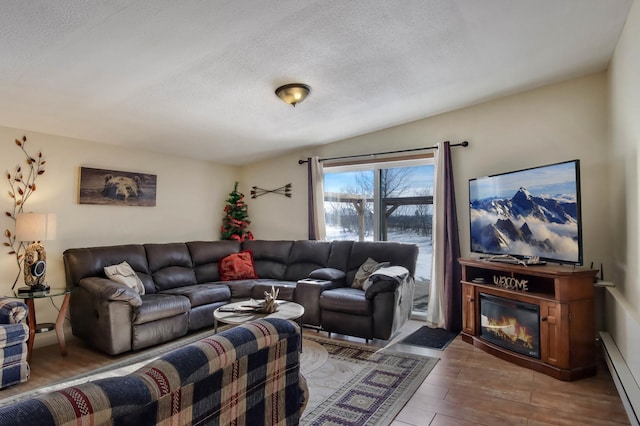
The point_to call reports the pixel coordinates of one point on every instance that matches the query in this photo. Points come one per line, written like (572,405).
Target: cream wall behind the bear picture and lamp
(189,205)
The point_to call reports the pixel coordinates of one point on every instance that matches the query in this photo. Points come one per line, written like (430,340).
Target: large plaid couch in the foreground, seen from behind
(248,375)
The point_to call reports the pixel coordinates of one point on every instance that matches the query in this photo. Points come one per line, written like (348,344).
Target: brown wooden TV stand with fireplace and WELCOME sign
(567,325)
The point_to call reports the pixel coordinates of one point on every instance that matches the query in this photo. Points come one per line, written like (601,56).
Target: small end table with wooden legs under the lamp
(34,327)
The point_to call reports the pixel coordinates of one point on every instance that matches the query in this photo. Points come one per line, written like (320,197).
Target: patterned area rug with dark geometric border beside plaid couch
(360,385)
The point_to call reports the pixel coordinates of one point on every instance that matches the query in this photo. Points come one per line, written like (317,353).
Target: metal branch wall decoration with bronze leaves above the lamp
(23,185)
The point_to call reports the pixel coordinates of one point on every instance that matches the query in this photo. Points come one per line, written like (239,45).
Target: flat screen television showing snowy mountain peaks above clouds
(528,214)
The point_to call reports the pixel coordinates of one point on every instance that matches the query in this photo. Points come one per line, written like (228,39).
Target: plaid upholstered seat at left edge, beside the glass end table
(14,333)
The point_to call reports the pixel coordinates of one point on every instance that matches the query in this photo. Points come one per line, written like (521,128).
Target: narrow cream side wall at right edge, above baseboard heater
(623,305)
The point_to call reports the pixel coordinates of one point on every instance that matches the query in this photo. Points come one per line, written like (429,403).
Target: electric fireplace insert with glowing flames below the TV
(510,324)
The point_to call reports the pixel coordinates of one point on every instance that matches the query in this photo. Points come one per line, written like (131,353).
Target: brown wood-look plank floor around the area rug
(467,387)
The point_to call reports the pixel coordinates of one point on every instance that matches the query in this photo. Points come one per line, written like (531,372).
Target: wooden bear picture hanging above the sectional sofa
(114,187)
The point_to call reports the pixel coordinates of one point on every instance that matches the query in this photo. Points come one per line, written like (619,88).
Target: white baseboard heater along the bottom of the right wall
(627,387)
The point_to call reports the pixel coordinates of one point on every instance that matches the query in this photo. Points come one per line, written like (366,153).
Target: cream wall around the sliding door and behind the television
(550,124)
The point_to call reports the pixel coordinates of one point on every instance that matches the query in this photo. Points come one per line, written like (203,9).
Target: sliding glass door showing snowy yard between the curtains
(384,202)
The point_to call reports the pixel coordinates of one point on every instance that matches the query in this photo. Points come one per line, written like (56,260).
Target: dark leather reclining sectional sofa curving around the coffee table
(183,288)
